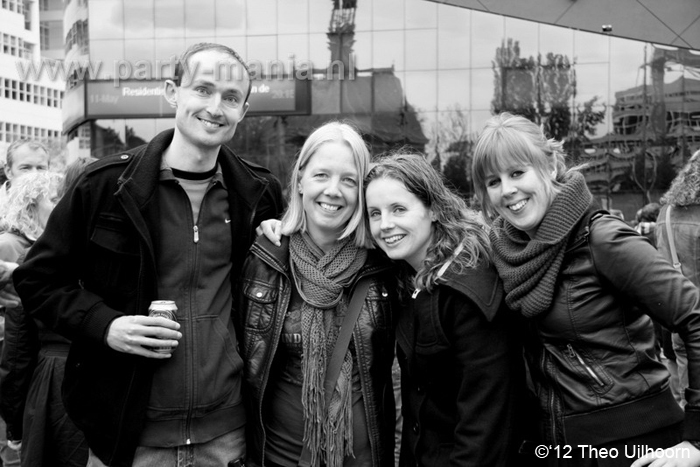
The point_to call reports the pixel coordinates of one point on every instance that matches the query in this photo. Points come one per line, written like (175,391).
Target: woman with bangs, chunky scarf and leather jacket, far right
(587,285)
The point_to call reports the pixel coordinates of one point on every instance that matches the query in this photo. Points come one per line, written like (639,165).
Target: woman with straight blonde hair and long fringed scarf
(294,298)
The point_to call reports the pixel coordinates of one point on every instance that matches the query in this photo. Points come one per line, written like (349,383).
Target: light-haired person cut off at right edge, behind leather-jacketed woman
(681,213)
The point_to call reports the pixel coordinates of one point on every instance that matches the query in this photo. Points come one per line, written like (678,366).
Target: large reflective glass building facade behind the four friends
(415,73)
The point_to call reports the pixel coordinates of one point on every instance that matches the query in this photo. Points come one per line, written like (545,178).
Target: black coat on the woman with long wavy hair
(461,373)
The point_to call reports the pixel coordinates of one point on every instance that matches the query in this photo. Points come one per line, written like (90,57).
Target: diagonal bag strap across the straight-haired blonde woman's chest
(339,351)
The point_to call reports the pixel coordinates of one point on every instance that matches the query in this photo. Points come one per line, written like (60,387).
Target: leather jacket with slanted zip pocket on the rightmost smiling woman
(592,354)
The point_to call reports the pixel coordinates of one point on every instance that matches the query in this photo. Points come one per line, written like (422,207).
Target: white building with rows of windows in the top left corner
(31,33)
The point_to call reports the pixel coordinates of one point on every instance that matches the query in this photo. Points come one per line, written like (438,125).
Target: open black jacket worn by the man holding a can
(96,262)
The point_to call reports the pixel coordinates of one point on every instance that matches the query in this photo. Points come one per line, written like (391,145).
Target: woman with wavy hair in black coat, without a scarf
(459,362)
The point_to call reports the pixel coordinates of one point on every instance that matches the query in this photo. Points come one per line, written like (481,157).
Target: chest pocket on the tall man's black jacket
(114,256)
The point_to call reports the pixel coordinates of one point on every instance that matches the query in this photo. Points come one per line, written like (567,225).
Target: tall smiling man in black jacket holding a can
(169,220)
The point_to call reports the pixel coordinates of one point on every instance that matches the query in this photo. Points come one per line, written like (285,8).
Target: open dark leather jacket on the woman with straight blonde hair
(266,291)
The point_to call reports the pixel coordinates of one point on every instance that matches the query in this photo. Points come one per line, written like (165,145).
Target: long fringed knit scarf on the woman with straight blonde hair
(321,278)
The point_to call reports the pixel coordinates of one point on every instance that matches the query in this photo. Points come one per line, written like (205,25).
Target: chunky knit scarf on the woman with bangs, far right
(529,268)
